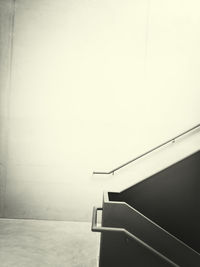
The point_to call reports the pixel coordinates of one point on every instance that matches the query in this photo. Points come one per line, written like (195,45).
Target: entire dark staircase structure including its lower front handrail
(154,222)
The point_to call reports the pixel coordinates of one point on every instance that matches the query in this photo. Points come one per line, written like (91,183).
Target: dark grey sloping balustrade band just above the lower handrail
(121,215)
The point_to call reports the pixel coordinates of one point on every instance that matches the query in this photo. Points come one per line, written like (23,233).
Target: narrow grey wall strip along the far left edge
(6,19)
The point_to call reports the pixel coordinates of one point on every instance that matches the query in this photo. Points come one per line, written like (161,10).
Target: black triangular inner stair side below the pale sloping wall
(171,198)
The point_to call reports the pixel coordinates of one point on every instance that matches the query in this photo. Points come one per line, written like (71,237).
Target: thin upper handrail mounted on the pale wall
(172,140)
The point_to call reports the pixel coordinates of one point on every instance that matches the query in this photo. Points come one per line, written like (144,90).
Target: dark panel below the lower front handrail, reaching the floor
(117,250)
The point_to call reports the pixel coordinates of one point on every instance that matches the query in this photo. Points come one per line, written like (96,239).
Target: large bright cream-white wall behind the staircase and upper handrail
(95,83)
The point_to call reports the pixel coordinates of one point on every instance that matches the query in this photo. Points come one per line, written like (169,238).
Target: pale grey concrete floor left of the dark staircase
(34,243)
